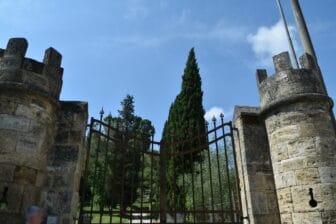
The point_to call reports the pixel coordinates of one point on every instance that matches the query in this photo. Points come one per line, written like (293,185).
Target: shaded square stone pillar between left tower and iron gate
(60,192)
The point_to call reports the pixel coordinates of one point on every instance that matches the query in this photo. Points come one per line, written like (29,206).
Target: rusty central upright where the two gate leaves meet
(163,184)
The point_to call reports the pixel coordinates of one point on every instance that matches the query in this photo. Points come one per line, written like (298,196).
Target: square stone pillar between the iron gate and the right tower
(259,201)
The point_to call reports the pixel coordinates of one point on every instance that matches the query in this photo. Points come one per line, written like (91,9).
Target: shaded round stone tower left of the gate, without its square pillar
(29,93)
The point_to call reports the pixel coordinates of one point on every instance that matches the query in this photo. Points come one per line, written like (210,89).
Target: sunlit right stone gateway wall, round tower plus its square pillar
(291,137)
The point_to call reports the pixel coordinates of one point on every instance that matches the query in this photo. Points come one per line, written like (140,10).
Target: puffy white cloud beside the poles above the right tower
(269,41)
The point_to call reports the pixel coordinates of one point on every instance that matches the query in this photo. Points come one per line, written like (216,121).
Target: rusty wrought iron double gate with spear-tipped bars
(130,178)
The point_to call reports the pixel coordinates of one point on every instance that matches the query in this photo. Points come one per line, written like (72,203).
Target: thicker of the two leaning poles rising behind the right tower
(302,28)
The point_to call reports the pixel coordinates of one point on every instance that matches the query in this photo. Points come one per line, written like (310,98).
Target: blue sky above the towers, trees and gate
(112,48)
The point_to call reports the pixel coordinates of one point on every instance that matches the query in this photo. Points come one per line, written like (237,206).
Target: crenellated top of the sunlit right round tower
(287,82)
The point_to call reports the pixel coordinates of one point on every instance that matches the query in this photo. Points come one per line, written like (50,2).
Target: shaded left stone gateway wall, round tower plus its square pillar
(31,115)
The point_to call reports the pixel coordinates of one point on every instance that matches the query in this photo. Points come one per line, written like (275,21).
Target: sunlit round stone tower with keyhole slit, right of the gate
(301,134)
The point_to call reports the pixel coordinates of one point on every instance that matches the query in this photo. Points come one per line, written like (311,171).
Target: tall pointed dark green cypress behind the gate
(185,121)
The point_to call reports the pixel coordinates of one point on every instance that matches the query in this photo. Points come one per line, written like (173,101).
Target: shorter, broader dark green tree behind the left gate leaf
(118,157)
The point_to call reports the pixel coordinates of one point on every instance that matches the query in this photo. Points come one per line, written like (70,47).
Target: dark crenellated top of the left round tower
(16,71)
